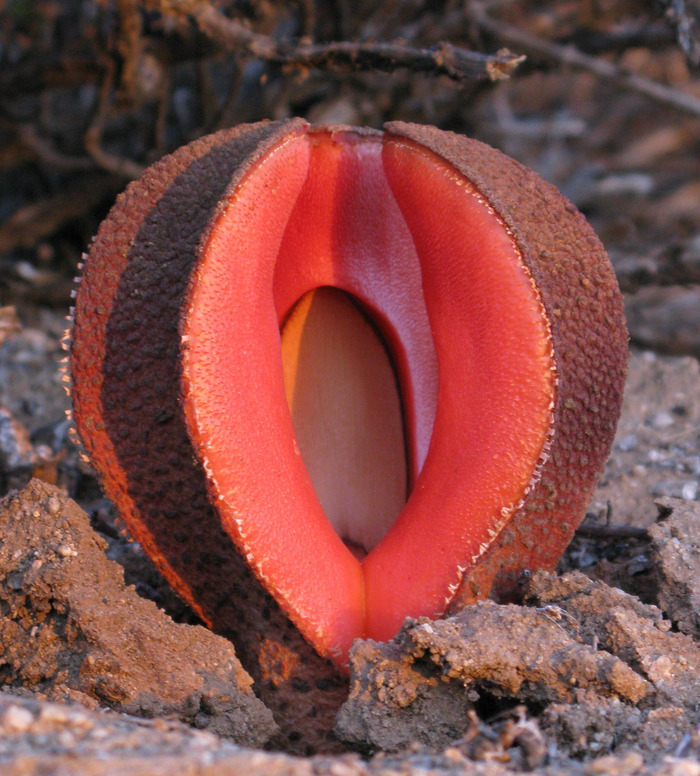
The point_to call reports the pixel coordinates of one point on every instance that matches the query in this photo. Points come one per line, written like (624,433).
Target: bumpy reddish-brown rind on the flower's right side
(583,303)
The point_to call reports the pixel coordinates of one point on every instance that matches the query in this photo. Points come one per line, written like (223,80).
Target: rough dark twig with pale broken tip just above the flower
(442,59)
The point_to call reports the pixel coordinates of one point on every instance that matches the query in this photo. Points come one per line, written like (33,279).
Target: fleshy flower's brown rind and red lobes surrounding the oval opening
(178,381)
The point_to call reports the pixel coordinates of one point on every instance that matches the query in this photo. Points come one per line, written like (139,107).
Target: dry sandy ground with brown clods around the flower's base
(597,671)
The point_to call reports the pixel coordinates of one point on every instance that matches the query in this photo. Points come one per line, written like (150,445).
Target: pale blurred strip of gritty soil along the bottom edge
(39,738)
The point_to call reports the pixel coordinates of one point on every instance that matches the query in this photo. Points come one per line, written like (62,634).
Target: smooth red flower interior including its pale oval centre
(456,403)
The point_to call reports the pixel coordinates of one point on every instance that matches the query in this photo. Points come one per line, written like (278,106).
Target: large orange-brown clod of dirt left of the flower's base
(70,628)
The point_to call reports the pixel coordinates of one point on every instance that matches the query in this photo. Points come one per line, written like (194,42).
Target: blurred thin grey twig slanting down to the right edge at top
(568,55)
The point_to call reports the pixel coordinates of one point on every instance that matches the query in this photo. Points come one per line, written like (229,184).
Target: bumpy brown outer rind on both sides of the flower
(126,368)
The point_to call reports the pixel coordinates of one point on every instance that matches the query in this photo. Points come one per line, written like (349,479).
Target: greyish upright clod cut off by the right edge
(675,555)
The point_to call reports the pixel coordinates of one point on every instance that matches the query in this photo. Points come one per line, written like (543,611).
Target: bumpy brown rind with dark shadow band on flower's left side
(125,363)
